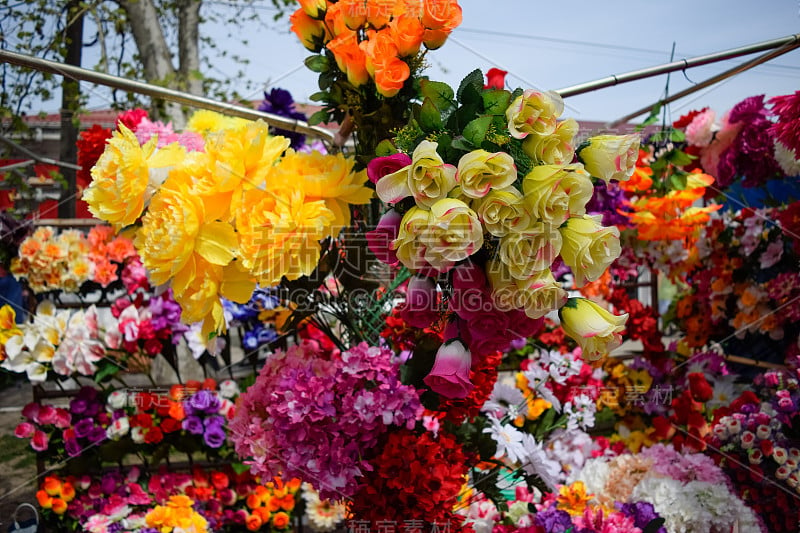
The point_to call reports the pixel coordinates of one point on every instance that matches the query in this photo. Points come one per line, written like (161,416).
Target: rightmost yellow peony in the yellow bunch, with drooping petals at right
(323,177)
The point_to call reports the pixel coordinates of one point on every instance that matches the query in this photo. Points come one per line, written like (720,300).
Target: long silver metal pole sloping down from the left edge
(163,93)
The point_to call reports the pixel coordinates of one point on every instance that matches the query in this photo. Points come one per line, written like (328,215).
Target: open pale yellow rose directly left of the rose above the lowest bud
(531,250)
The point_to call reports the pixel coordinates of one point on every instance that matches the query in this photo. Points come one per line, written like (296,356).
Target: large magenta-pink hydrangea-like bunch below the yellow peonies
(320,419)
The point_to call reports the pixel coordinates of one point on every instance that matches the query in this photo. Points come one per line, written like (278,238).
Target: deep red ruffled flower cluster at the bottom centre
(415,477)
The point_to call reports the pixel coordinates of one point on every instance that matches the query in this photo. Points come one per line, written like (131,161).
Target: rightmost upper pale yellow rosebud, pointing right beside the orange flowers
(610,156)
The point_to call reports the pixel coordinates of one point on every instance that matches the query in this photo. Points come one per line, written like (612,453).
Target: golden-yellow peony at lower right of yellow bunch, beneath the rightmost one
(280,234)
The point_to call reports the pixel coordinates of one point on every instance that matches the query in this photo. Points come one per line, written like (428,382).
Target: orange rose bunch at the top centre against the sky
(374,39)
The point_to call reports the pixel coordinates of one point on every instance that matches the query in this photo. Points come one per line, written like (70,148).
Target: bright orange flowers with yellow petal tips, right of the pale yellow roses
(671,216)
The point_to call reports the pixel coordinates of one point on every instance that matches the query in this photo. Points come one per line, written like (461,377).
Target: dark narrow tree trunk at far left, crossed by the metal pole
(70,101)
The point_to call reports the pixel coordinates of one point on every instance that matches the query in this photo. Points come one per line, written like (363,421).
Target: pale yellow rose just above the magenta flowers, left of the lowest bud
(536,295)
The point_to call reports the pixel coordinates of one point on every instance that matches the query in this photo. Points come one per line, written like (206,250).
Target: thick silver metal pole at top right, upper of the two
(682,64)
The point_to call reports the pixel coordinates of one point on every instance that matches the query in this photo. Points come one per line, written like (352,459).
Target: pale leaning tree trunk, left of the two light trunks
(153,51)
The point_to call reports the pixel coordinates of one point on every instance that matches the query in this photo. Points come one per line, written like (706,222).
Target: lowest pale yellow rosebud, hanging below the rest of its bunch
(596,330)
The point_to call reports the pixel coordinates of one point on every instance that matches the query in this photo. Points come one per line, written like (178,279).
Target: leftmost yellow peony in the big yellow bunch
(121,180)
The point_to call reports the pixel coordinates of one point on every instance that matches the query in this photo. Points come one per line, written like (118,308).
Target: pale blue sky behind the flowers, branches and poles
(551,45)
